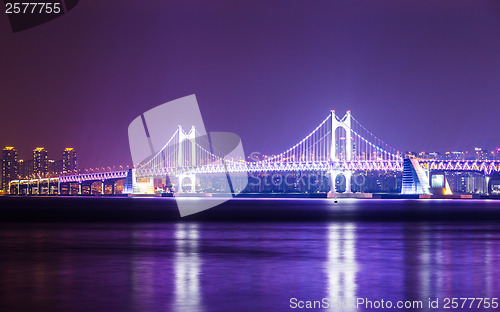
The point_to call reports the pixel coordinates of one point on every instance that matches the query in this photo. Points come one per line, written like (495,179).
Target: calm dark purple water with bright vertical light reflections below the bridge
(253,266)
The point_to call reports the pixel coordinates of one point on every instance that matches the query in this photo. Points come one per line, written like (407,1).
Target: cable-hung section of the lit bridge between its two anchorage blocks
(336,145)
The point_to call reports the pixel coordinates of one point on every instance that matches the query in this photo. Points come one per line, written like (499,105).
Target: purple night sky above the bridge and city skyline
(420,74)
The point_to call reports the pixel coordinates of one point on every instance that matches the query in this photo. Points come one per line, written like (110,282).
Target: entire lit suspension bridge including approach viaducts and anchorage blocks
(337,146)
